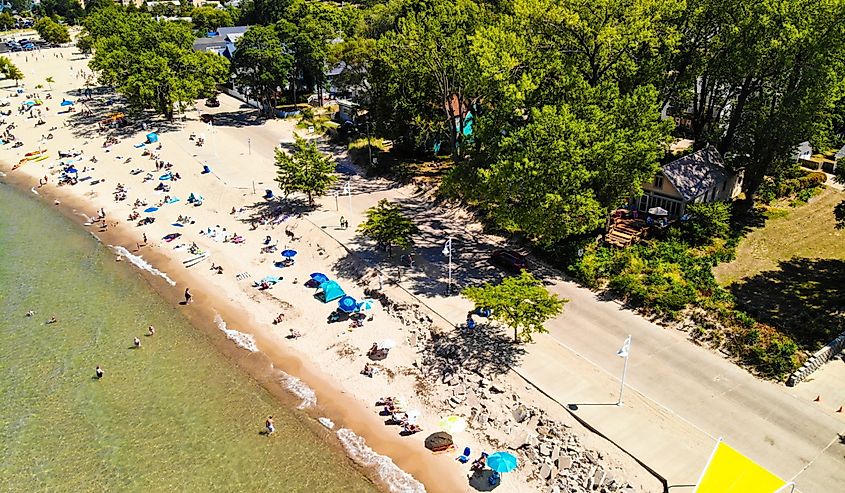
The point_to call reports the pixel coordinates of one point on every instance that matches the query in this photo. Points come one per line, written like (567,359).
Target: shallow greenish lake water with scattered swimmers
(174,415)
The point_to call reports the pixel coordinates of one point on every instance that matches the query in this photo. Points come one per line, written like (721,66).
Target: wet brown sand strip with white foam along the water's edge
(263,366)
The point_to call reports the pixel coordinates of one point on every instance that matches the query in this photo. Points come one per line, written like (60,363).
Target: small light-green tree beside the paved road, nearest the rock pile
(520,302)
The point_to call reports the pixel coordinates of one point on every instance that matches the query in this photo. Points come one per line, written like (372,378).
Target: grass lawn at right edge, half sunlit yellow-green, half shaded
(790,273)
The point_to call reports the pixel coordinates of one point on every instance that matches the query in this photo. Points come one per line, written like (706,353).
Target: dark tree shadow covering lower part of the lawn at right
(804,298)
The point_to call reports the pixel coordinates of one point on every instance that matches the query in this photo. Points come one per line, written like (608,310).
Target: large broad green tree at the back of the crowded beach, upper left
(152,63)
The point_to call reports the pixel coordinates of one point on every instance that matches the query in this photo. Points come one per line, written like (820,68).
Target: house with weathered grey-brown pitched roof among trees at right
(698,177)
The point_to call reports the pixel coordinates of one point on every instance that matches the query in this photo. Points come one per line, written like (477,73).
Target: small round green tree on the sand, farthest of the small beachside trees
(306,170)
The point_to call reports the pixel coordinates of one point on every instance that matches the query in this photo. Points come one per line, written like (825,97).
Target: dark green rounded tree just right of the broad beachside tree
(261,65)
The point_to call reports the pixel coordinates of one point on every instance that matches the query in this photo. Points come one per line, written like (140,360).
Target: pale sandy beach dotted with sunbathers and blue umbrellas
(119,175)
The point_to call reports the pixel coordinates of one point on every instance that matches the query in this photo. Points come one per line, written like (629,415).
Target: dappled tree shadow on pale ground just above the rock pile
(485,350)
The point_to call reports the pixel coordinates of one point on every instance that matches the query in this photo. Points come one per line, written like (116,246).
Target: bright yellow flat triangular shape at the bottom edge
(728,471)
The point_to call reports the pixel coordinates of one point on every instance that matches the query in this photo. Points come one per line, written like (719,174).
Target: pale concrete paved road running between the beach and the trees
(680,396)
